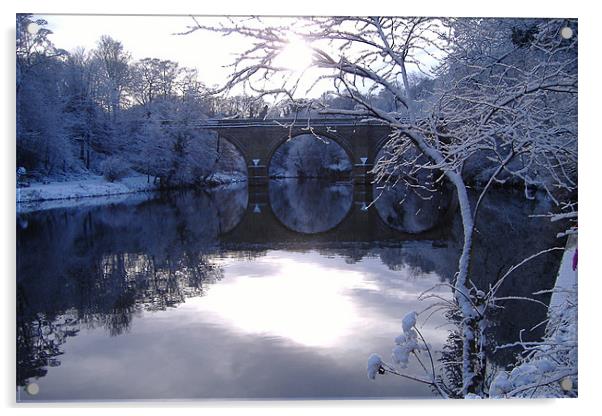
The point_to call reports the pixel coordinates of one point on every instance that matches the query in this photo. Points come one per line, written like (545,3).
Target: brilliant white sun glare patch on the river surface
(310,304)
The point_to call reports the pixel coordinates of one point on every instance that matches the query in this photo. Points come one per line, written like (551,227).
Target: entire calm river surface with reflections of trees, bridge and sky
(255,292)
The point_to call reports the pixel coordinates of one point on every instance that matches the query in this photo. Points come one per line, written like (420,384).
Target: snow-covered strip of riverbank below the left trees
(91,191)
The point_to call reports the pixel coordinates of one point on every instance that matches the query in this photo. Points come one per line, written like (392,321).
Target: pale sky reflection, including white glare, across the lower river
(288,324)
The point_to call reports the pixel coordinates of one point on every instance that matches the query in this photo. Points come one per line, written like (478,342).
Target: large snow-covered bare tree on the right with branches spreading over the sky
(504,92)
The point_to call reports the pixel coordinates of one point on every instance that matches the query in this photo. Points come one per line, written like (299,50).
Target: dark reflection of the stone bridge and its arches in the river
(293,212)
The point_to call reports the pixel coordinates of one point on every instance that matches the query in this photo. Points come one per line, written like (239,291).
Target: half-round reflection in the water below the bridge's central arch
(310,206)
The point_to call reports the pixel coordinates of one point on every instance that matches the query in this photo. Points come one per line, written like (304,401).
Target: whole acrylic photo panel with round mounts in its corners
(219,207)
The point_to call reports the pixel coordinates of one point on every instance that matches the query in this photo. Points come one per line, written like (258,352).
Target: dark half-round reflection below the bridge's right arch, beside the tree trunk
(411,210)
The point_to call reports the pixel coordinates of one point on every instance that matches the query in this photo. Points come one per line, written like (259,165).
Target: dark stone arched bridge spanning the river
(258,139)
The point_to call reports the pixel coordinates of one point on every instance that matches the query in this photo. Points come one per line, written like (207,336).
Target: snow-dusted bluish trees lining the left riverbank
(101,112)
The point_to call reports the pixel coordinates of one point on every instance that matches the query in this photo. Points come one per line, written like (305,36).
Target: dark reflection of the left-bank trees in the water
(121,260)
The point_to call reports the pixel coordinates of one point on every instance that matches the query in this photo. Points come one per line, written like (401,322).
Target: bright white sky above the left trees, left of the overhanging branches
(148,36)
